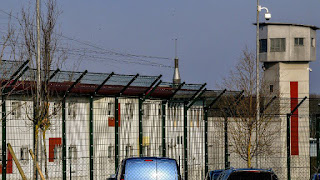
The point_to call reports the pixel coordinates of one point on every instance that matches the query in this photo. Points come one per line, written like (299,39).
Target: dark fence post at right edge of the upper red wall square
(116,132)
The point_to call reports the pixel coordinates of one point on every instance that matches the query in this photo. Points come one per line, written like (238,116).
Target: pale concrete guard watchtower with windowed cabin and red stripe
(286,51)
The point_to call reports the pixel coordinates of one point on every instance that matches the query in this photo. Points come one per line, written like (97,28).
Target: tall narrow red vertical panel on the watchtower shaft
(294,119)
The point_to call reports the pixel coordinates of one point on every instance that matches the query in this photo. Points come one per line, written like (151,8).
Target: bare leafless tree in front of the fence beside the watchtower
(250,137)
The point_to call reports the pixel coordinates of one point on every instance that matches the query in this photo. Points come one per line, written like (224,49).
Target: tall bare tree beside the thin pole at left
(51,57)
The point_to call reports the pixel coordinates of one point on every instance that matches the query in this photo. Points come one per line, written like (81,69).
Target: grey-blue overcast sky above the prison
(211,34)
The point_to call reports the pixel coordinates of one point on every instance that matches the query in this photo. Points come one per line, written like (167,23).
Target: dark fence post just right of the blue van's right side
(185,144)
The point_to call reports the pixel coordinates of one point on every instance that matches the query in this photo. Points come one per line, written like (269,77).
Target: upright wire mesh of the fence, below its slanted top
(20,135)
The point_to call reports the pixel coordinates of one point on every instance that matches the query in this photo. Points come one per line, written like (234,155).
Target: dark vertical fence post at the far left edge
(4,134)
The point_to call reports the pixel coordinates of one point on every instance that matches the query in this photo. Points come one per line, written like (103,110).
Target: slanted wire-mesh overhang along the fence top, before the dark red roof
(100,84)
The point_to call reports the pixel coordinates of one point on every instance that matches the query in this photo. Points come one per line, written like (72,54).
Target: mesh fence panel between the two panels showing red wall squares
(77,138)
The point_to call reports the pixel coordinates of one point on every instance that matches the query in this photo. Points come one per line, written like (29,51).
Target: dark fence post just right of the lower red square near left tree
(64,161)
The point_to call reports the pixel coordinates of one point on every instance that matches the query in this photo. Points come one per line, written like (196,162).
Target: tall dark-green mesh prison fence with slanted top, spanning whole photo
(94,121)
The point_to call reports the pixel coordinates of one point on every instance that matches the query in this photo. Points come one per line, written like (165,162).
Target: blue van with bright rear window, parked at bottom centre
(148,168)
